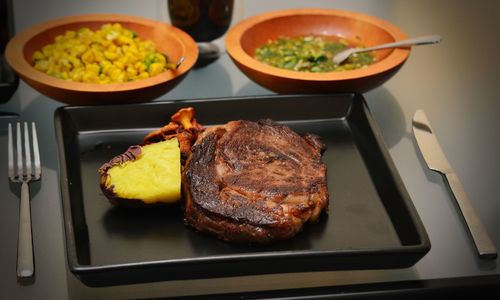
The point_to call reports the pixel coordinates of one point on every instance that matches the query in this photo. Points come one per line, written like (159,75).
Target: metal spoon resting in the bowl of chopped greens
(422,40)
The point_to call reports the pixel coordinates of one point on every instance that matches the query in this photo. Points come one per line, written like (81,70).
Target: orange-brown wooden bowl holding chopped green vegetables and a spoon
(358,29)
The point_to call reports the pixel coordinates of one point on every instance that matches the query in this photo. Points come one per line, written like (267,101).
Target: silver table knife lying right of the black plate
(436,161)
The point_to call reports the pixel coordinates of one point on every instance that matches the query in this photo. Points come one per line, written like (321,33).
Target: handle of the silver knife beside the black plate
(482,241)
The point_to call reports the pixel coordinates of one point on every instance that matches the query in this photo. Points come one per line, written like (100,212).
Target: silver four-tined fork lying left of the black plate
(24,168)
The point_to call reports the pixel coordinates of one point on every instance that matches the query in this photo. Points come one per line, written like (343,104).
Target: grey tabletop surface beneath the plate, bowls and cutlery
(455,82)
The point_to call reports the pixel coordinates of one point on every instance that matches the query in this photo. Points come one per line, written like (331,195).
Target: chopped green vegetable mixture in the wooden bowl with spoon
(309,54)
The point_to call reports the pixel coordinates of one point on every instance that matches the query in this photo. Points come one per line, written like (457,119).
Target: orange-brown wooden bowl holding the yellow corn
(169,40)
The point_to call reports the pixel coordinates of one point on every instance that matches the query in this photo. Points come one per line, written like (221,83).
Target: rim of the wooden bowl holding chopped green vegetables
(236,51)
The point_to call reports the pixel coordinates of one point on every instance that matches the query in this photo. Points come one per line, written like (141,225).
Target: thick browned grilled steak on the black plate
(254,182)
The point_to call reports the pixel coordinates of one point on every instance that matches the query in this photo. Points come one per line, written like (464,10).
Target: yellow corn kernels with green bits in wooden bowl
(112,54)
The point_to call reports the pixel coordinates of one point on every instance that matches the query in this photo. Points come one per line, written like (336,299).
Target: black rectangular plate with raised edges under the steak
(372,222)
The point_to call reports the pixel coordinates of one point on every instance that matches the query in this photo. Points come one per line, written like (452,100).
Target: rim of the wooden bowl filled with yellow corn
(15,57)
